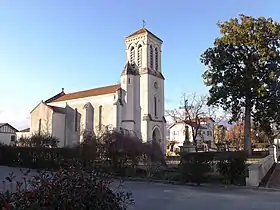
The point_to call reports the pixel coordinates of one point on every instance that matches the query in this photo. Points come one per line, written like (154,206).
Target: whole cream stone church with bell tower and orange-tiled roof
(135,105)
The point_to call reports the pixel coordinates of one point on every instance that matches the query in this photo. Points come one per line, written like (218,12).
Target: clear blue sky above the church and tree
(49,44)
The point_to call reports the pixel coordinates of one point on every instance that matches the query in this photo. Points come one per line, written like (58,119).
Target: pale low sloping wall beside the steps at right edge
(258,170)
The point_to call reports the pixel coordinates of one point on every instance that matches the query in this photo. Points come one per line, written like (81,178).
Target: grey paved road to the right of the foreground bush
(151,196)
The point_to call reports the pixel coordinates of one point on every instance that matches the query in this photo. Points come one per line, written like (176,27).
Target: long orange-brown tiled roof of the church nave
(88,93)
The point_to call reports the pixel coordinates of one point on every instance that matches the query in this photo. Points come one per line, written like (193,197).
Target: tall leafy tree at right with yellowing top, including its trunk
(243,70)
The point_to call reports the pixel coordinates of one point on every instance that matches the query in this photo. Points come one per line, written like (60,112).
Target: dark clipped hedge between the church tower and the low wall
(198,167)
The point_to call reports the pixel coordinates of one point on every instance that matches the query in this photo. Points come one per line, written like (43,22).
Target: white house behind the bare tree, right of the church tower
(204,136)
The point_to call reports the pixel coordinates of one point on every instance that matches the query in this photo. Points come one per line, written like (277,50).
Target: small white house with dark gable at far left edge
(7,134)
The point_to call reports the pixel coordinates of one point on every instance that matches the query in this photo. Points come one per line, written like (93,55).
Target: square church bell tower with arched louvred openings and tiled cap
(143,52)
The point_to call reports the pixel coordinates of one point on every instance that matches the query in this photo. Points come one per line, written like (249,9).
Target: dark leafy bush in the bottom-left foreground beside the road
(72,187)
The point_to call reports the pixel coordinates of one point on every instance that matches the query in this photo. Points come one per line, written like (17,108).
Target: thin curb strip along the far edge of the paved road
(202,185)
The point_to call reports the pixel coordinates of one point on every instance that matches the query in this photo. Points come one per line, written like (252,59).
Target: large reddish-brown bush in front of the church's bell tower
(121,153)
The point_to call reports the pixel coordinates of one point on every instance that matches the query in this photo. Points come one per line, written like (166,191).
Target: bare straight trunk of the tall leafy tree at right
(247,127)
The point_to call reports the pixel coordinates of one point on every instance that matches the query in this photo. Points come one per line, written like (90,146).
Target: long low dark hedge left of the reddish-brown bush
(37,158)
